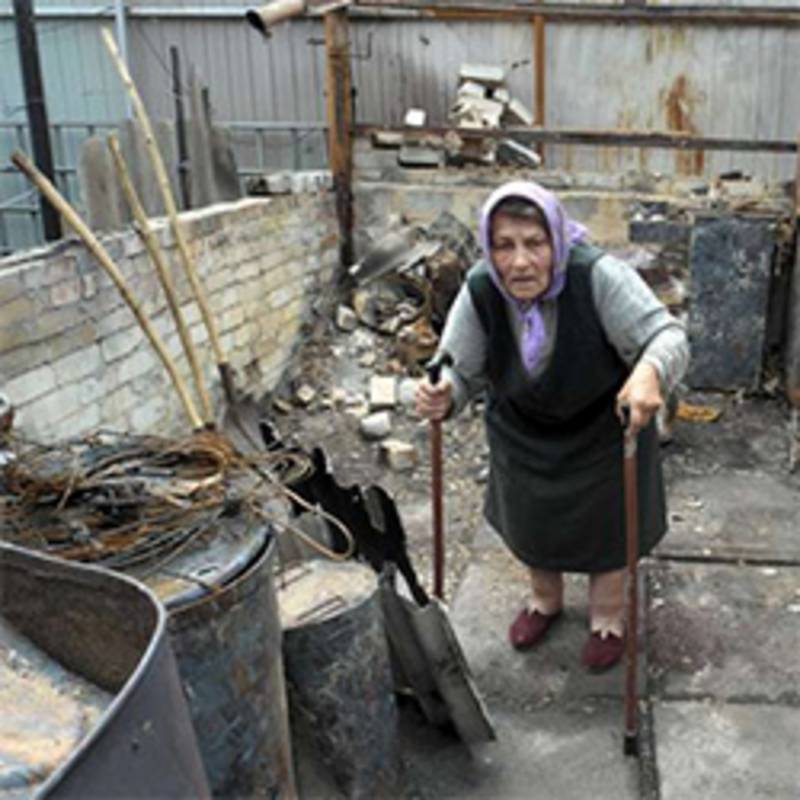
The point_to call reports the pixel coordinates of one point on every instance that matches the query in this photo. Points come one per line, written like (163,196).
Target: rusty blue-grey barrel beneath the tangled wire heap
(226,634)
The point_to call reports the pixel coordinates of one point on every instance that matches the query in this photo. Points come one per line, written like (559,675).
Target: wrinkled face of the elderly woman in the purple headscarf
(522,255)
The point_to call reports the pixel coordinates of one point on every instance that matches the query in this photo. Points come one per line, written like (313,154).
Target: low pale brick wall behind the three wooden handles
(72,357)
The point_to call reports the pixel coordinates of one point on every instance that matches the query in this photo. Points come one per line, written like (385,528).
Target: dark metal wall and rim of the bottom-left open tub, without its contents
(111,631)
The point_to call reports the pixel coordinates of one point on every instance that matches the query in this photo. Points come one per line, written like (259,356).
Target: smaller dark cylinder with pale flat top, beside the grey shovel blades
(339,675)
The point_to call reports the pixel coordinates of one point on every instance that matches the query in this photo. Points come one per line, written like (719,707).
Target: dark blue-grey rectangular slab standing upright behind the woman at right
(730,260)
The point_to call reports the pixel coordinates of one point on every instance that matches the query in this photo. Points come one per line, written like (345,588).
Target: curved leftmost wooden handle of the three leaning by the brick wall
(72,219)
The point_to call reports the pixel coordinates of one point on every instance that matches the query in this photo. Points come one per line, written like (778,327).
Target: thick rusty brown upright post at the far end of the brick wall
(338,84)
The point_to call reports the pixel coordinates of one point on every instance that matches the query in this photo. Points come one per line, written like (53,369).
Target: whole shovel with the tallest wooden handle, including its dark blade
(241,415)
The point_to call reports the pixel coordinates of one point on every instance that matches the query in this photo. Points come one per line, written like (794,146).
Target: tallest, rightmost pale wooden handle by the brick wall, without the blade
(172,212)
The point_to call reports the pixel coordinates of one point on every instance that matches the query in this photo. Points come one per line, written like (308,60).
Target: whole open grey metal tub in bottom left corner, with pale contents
(77,643)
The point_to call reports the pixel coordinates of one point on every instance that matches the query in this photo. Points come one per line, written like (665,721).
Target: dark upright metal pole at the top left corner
(36,108)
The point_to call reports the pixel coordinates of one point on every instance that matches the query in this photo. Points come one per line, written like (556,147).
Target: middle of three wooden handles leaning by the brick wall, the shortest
(150,242)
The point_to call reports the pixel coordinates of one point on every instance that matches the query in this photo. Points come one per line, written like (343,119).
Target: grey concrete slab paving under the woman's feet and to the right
(721,698)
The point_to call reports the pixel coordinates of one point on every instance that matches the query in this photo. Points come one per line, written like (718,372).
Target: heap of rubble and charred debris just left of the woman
(399,296)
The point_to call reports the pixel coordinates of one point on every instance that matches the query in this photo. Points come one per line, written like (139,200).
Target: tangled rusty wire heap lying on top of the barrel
(128,501)
